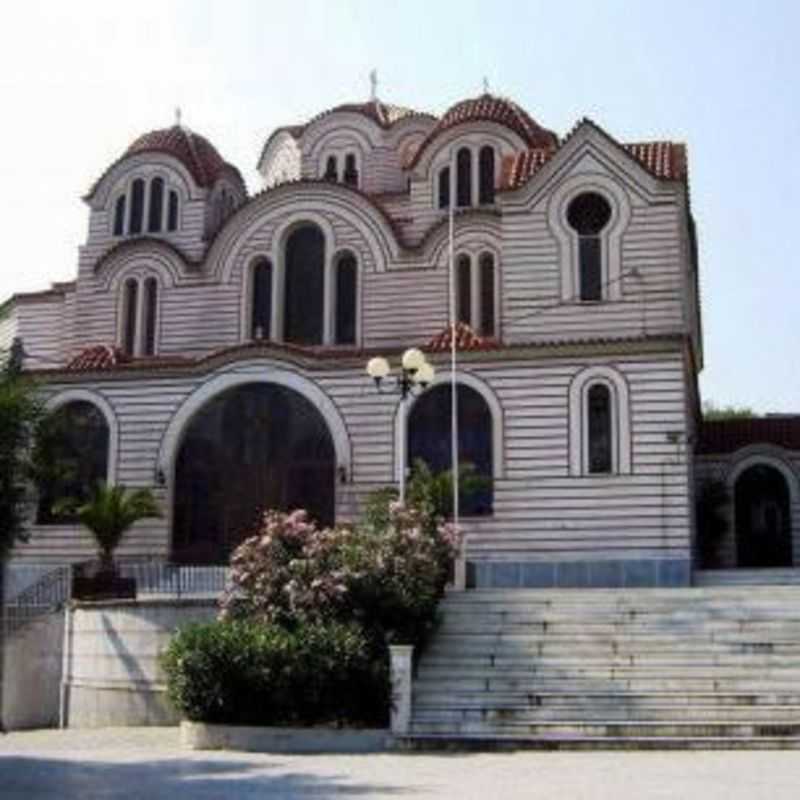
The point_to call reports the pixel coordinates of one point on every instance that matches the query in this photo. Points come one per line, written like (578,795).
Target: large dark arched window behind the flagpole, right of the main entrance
(429,439)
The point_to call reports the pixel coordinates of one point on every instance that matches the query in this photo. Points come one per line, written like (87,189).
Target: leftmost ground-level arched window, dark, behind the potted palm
(74,444)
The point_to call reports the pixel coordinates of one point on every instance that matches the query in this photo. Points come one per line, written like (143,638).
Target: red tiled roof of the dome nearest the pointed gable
(488,108)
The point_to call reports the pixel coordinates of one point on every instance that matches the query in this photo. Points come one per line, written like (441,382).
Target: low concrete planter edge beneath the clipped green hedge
(204,736)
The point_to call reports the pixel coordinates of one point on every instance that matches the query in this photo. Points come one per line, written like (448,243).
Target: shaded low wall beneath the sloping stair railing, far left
(32,660)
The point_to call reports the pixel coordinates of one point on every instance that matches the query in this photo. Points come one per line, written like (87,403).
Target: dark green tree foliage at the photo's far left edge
(20,412)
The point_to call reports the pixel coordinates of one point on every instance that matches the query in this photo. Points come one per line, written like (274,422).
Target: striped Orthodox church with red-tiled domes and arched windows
(213,347)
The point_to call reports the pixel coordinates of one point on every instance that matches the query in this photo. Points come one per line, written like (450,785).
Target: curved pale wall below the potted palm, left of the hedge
(112,675)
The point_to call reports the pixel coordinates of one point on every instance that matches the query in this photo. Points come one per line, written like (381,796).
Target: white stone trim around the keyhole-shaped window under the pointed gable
(611,235)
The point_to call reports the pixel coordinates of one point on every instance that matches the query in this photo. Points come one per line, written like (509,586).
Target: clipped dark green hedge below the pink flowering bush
(249,673)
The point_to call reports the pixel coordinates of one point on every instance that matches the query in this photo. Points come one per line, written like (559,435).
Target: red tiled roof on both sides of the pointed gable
(662,159)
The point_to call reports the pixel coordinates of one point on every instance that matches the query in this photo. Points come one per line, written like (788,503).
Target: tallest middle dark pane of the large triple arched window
(305,270)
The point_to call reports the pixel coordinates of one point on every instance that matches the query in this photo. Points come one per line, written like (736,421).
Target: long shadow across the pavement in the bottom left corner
(31,778)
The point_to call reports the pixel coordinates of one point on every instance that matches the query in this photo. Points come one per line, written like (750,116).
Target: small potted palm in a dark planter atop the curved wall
(109,512)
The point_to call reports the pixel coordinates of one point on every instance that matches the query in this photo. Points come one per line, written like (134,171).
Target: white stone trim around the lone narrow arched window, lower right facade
(620,420)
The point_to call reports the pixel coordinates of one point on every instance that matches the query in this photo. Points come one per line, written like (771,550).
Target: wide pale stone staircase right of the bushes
(715,667)
